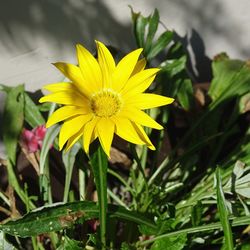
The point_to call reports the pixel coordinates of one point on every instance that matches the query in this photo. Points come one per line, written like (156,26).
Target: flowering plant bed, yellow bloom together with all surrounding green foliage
(143,157)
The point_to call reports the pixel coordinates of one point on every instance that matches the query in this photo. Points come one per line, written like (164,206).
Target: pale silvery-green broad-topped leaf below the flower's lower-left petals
(69,161)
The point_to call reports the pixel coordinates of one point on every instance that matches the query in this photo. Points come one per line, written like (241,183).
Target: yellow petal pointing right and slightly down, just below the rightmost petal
(140,117)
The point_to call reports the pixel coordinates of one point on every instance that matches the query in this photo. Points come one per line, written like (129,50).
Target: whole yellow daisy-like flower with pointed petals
(102,99)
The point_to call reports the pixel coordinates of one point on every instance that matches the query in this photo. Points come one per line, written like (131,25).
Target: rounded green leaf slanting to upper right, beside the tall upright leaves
(161,43)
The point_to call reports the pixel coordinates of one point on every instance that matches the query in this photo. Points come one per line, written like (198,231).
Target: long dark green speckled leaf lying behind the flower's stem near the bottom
(59,216)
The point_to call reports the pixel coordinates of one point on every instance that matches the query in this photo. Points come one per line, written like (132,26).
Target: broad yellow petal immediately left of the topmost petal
(89,67)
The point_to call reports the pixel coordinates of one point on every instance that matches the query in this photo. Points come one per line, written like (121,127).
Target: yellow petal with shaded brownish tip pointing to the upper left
(74,73)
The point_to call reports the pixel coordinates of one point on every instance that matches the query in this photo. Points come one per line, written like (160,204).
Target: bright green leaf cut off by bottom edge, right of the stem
(171,243)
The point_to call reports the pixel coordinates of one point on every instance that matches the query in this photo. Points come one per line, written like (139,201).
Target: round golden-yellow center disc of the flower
(105,103)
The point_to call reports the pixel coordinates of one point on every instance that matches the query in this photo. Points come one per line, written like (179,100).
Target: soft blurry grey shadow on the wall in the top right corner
(212,18)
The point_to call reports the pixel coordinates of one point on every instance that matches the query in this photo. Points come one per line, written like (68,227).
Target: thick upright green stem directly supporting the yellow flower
(99,163)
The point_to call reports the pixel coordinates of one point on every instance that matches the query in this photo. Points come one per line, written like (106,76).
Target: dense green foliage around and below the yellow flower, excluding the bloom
(188,194)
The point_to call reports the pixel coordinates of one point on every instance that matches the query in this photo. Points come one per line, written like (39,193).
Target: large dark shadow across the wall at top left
(62,23)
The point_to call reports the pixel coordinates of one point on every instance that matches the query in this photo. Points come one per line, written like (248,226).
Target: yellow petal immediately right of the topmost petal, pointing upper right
(124,69)
